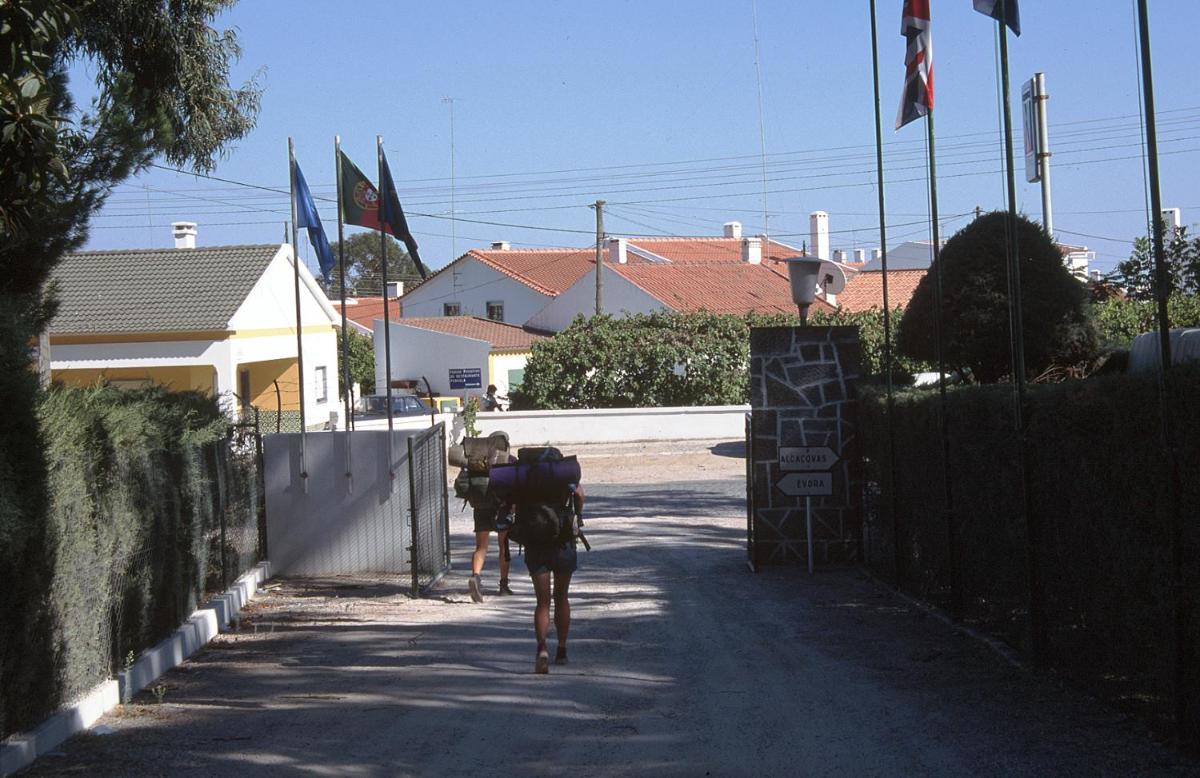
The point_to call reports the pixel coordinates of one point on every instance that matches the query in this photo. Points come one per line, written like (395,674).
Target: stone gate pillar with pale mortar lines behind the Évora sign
(805,444)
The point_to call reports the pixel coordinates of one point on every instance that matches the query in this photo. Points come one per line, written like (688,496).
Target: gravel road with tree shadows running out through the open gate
(682,662)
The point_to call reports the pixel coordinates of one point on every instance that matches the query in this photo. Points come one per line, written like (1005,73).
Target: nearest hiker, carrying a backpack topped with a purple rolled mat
(544,489)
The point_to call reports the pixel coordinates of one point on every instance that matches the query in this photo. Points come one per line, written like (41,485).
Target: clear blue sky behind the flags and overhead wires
(655,107)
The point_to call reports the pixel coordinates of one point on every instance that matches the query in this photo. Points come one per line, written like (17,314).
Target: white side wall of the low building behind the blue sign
(418,352)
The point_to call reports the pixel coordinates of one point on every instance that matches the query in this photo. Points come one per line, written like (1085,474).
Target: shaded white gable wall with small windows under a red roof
(472,284)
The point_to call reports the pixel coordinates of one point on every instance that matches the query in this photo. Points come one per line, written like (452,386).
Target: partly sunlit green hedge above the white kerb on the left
(125,536)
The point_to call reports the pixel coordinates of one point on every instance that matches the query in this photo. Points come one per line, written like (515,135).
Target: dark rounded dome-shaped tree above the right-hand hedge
(976,334)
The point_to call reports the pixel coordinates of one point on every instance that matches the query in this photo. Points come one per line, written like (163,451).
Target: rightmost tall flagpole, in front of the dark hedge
(1187,678)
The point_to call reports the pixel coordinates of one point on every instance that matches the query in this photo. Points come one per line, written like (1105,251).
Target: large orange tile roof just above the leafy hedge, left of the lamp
(719,288)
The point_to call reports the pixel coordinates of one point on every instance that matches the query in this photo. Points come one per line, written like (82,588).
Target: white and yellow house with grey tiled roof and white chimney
(219,320)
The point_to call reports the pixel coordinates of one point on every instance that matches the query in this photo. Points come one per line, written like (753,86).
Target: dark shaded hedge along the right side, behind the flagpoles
(1099,487)
